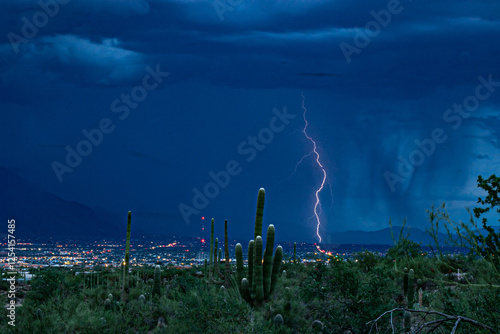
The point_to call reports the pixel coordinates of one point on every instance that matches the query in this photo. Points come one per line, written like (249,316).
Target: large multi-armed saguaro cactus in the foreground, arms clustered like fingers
(259,282)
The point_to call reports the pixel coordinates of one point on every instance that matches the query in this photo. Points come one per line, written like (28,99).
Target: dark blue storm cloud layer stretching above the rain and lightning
(273,41)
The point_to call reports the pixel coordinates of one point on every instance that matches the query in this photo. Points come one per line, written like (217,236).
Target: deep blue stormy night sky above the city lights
(130,105)
